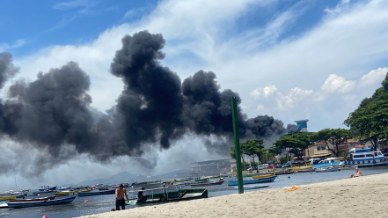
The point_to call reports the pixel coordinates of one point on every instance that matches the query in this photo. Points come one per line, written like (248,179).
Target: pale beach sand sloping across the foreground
(365,196)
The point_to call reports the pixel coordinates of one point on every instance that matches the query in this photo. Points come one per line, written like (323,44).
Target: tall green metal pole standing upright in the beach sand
(237,146)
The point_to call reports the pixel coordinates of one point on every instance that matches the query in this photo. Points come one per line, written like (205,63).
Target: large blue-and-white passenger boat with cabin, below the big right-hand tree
(365,157)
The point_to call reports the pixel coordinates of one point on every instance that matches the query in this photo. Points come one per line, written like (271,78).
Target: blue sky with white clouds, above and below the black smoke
(306,59)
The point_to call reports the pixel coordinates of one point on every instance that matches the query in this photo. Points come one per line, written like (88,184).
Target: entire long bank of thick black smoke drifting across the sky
(53,112)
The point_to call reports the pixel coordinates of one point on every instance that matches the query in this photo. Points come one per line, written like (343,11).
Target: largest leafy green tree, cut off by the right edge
(370,120)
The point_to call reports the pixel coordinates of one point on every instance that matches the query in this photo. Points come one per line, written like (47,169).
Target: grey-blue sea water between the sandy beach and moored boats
(104,203)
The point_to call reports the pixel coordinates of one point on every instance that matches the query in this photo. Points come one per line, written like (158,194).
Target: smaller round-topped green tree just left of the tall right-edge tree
(334,137)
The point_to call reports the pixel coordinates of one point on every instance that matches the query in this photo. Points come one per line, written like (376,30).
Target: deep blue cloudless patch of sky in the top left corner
(44,23)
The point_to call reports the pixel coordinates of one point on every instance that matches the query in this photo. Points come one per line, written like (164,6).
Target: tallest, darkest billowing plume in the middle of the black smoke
(150,107)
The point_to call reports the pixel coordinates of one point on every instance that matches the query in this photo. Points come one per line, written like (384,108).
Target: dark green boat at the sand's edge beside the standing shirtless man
(171,196)
